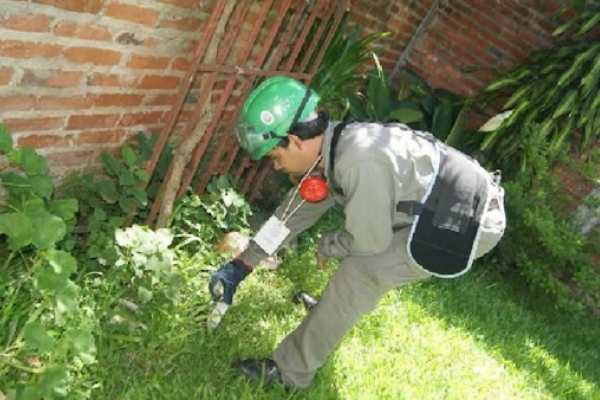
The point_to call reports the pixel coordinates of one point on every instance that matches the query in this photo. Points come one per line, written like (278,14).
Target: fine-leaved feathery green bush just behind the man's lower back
(541,243)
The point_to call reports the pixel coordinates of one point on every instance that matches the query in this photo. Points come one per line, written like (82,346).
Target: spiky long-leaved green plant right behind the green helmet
(341,71)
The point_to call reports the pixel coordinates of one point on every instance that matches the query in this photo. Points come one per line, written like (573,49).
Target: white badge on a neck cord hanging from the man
(274,231)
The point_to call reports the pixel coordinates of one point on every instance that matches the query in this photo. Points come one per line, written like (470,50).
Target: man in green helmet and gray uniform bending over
(413,208)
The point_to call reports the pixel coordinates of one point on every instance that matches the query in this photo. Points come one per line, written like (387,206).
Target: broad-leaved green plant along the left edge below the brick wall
(46,336)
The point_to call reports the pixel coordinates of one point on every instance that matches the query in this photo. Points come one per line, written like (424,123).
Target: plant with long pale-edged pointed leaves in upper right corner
(558,91)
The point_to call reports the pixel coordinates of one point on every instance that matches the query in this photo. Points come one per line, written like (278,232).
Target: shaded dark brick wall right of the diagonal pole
(492,36)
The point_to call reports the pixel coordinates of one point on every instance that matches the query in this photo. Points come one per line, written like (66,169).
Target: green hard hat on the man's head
(269,112)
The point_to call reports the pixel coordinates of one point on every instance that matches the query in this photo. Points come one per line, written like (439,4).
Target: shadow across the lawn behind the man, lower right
(557,347)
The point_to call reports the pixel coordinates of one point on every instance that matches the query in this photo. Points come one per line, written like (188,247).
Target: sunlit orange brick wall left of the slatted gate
(81,76)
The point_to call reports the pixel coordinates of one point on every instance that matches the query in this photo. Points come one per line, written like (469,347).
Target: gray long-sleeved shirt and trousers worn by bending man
(376,167)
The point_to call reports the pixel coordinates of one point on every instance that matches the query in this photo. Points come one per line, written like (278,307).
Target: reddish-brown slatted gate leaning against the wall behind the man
(243,41)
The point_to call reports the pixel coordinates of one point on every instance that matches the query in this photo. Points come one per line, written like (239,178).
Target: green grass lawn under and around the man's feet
(476,337)
